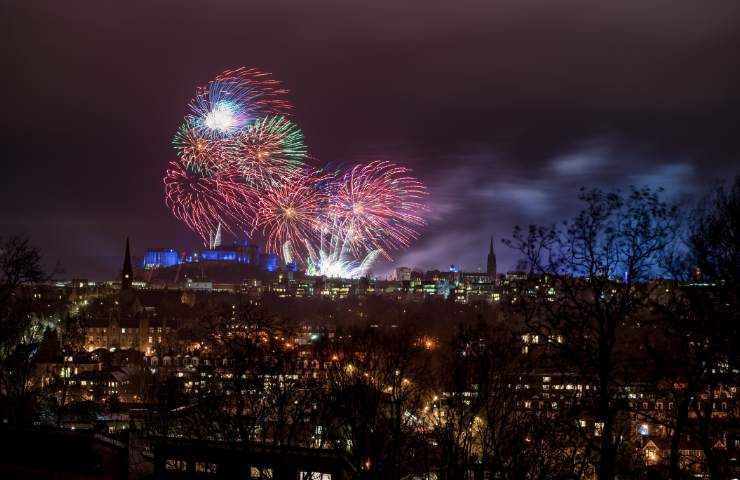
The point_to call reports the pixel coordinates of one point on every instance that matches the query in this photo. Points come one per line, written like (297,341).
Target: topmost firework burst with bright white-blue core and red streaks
(235,99)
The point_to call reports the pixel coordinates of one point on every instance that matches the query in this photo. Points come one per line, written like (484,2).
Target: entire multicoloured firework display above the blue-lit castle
(243,166)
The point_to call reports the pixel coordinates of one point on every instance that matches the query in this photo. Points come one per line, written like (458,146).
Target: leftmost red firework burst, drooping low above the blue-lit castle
(205,202)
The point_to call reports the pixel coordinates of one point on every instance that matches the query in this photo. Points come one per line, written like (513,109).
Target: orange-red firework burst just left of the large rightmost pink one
(291,211)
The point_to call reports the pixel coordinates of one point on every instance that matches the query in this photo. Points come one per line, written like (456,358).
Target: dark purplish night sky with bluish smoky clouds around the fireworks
(503,108)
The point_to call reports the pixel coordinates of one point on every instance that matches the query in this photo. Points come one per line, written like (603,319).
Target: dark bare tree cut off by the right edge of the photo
(701,328)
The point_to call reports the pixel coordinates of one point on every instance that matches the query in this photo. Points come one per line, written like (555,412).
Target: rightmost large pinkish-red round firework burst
(378,206)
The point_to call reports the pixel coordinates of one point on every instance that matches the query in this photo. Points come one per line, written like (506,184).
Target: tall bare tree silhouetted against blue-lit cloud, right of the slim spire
(590,283)
